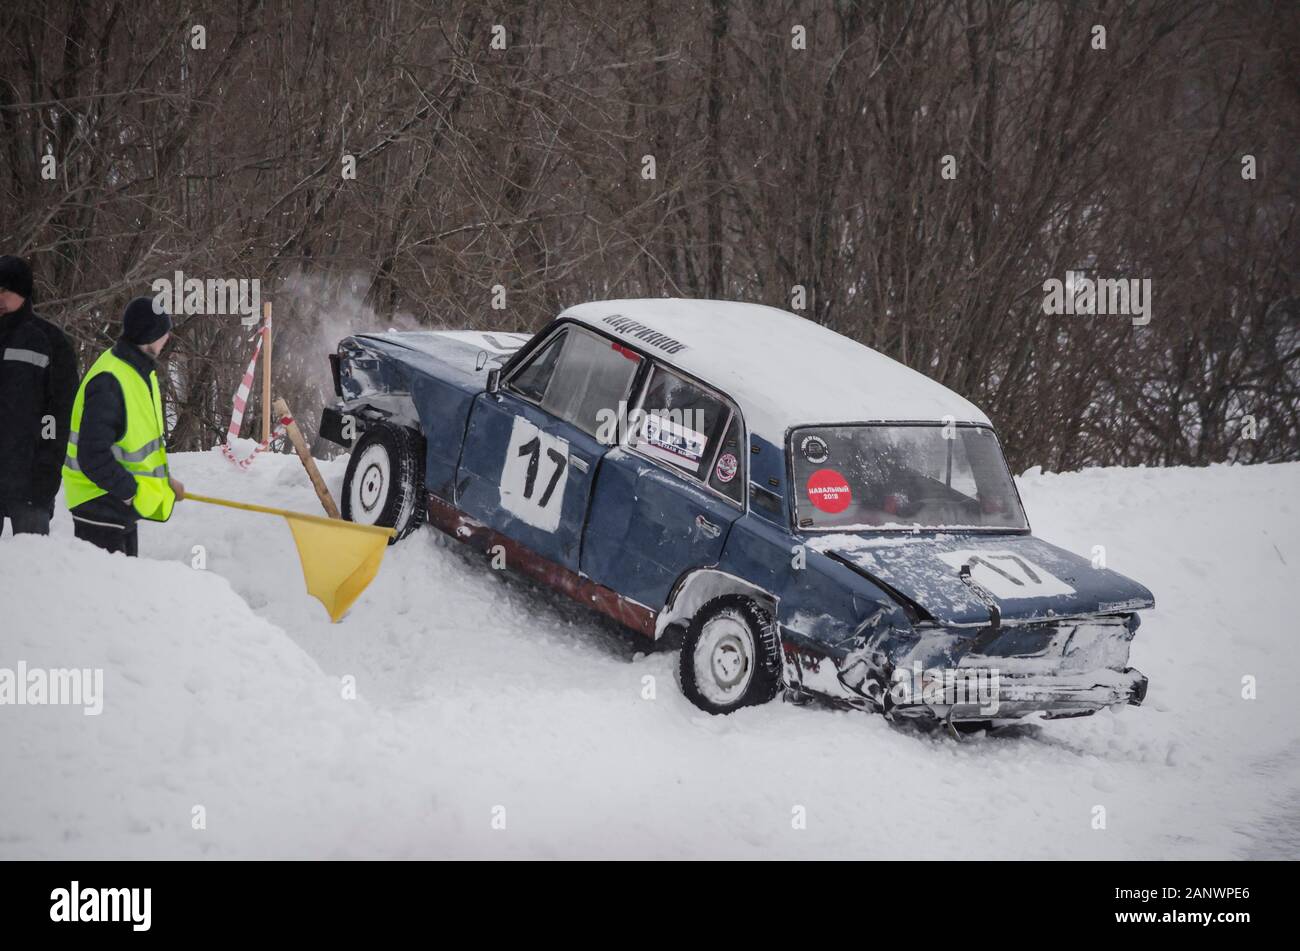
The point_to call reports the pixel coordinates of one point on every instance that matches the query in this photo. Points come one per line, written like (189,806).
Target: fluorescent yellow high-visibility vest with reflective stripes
(140,451)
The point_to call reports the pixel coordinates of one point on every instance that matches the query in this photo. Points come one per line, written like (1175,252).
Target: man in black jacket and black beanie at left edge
(38,383)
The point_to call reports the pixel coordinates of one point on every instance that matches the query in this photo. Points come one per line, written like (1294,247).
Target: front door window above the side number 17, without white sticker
(577,376)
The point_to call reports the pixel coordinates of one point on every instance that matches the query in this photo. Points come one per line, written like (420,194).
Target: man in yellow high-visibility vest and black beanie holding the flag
(116,470)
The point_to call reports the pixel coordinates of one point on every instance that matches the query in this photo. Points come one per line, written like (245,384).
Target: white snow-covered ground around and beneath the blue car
(482,697)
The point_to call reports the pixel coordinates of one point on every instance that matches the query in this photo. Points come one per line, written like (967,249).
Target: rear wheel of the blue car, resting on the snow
(747,639)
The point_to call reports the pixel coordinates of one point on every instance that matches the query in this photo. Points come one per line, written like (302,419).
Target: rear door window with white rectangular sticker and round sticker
(691,429)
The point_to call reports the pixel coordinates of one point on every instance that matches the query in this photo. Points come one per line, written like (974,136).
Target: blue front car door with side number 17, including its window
(531,451)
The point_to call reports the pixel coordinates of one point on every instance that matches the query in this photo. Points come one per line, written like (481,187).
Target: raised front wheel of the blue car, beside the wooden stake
(385,480)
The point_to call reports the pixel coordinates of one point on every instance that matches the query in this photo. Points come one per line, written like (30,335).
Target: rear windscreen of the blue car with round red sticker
(903,477)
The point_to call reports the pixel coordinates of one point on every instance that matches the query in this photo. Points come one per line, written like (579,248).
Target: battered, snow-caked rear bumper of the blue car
(1008,697)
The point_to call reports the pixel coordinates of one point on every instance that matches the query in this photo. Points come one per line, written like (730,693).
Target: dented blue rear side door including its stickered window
(666,498)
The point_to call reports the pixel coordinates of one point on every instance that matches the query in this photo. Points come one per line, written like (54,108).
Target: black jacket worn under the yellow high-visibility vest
(103,424)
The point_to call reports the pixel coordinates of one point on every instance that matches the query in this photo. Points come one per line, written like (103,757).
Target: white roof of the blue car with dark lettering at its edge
(785,371)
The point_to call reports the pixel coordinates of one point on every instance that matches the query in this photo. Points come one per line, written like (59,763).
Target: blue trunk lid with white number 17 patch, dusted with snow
(1028,577)
